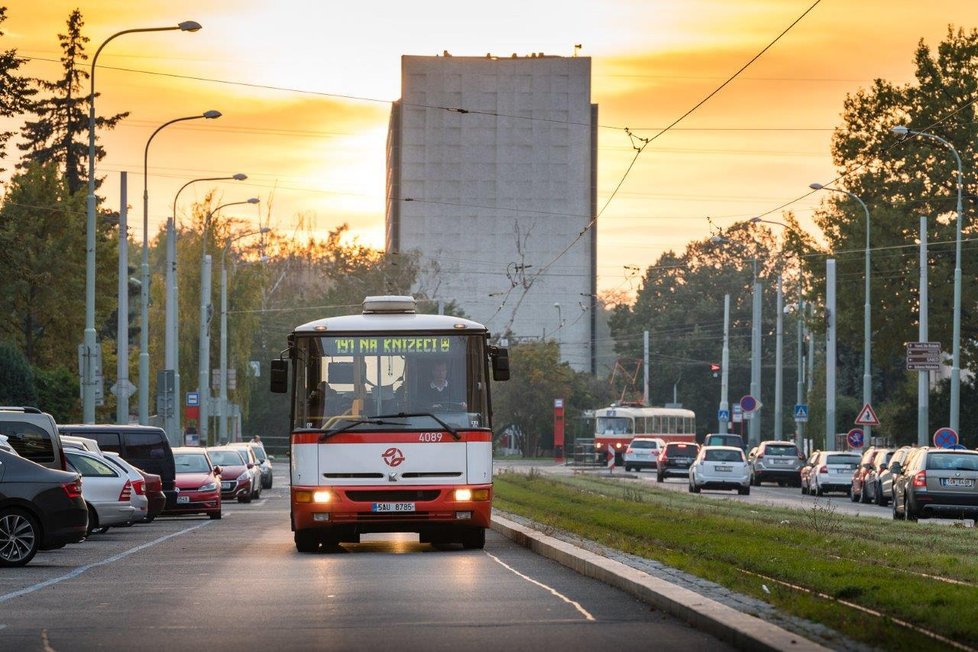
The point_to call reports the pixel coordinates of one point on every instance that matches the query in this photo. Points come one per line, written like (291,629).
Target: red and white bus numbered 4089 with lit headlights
(372,449)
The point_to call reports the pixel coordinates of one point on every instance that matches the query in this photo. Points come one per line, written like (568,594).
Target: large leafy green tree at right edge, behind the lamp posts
(899,180)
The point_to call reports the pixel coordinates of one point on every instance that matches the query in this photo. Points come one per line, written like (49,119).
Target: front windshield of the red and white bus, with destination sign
(344,381)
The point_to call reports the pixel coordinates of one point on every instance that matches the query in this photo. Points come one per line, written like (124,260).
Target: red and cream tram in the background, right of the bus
(618,424)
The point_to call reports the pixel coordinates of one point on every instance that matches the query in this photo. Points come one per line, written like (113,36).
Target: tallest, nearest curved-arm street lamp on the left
(88,368)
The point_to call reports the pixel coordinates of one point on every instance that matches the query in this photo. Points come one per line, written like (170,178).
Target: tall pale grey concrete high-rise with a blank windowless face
(491,176)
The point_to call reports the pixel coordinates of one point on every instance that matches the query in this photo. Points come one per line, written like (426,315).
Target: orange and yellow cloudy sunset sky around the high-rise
(305,88)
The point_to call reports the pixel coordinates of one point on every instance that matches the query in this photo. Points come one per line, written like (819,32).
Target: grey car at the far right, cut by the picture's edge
(937,482)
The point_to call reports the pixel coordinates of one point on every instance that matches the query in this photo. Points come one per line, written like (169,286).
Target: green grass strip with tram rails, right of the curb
(862,561)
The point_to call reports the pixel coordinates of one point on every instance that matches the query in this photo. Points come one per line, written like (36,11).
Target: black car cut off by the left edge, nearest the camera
(40,509)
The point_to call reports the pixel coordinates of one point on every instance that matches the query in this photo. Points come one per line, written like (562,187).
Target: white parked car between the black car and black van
(106,489)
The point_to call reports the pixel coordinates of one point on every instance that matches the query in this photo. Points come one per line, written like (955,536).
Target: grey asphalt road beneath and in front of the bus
(238,583)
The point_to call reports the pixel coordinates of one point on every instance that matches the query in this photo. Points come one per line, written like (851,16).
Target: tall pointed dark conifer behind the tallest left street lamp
(60,132)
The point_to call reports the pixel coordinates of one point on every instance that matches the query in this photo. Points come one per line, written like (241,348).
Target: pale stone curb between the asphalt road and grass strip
(741,630)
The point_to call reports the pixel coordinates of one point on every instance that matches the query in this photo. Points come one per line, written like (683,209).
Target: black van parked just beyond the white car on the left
(145,447)
